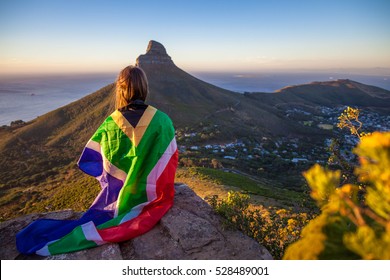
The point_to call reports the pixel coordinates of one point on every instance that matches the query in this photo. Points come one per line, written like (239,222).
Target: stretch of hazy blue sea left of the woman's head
(27,97)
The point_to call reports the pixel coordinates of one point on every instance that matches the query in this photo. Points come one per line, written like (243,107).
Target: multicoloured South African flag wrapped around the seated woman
(133,154)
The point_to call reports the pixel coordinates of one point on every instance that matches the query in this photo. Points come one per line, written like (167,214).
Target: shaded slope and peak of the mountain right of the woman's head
(190,101)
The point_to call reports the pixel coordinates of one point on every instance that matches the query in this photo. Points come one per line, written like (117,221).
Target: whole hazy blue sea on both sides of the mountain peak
(27,97)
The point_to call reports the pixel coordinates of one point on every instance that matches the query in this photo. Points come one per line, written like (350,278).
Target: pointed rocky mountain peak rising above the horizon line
(155,54)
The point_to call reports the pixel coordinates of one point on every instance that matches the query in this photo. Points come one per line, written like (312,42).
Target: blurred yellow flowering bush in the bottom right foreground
(350,227)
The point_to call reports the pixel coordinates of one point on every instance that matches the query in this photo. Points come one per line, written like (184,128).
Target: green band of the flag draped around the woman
(137,161)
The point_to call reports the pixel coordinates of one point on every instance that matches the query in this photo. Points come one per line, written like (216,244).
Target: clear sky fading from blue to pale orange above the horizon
(38,36)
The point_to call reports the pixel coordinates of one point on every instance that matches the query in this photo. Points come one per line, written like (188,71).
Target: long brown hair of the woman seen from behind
(131,85)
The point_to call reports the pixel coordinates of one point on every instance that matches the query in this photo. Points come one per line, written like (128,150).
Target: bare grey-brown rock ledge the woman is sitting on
(190,230)
